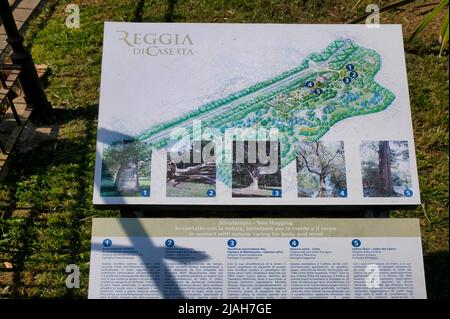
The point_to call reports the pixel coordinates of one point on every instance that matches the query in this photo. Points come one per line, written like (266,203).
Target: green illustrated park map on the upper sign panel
(302,103)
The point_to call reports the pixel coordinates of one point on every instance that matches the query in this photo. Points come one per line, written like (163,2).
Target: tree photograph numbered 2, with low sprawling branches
(191,170)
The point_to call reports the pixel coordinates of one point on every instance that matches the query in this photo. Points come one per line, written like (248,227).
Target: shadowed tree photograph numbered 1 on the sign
(126,169)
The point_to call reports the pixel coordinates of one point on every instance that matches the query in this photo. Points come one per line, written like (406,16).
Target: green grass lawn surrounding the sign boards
(46,200)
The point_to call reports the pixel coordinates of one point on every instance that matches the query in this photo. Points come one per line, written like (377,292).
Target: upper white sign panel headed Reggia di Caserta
(248,114)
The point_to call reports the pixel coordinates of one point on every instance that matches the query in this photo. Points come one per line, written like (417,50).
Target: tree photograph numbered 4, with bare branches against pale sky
(321,169)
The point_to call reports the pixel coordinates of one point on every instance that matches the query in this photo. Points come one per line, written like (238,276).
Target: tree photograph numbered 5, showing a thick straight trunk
(385,168)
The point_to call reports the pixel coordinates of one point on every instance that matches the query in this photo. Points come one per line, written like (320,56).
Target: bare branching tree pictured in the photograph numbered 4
(324,160)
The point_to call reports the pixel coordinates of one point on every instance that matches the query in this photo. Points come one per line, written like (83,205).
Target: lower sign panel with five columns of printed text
(256,258)
